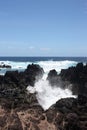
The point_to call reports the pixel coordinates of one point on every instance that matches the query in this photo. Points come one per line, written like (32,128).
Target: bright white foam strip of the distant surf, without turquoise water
(46,65)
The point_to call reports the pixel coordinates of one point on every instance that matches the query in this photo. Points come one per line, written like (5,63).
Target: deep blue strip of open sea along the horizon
(34,59)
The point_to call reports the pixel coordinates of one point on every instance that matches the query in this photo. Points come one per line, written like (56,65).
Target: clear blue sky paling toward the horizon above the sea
(43,27)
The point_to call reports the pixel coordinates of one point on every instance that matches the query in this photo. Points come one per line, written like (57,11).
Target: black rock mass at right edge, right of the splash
(77,76)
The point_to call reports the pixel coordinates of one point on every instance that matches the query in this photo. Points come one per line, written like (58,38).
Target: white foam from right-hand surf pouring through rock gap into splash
(46,94)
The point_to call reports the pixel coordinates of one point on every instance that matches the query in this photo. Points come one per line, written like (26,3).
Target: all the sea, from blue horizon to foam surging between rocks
(47,95)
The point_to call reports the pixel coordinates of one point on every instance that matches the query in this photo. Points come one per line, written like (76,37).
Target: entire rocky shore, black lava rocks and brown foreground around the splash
(20,110)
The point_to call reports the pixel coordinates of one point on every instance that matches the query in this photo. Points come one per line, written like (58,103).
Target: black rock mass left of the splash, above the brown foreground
(13,85)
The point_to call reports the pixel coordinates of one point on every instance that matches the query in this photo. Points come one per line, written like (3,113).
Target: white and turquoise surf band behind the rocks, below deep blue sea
(46,65)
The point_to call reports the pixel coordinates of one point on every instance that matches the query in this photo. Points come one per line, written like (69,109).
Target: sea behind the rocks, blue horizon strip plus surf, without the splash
(47,63)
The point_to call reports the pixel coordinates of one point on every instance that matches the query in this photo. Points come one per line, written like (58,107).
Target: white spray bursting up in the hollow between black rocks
(48,95)
